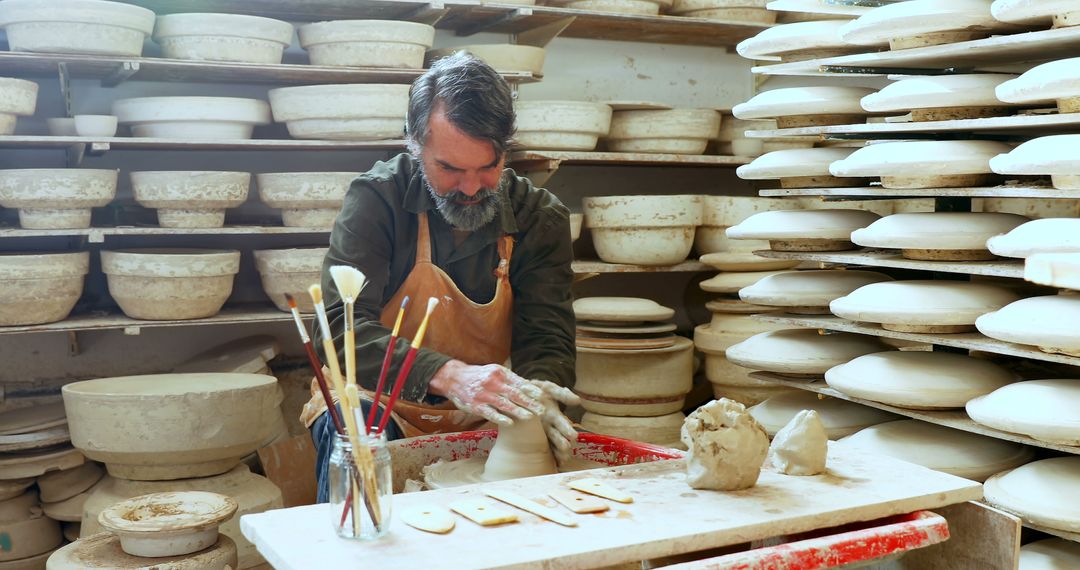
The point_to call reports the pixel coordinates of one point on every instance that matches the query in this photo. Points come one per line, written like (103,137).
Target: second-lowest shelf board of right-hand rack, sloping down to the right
(956,419)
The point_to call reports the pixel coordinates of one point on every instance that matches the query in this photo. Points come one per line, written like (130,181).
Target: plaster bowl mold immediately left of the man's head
(342,112)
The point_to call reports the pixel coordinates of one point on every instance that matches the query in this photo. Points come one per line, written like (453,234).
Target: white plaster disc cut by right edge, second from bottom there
(1036,492)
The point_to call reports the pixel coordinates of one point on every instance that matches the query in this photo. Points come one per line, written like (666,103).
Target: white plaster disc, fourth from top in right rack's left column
(804,230)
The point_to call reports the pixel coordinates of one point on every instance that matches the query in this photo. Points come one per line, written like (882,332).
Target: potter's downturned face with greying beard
(463,173)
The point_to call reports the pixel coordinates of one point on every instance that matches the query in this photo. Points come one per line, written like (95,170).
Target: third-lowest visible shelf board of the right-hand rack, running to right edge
(964,341)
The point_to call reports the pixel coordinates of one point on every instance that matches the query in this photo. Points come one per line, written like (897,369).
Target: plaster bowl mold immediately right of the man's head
(561,125)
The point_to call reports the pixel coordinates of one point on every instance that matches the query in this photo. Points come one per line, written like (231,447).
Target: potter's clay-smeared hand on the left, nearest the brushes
(492,392)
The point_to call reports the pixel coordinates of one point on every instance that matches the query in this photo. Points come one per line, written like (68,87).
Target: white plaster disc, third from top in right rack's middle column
(921,158)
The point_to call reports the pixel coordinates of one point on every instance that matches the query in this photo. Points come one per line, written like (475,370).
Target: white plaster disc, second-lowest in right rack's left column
(802,351)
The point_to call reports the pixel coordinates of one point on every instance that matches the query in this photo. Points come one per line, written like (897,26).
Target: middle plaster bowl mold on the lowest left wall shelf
(170,284)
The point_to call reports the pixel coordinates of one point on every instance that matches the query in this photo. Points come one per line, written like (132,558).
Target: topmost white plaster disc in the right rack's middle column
(920,23)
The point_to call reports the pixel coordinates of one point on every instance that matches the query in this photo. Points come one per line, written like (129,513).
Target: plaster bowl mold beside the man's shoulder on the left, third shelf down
(307,200)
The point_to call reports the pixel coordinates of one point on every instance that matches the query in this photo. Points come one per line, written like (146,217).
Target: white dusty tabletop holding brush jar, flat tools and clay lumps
(667,518)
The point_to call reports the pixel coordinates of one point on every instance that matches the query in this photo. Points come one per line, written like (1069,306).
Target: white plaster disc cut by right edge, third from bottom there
(1048,411)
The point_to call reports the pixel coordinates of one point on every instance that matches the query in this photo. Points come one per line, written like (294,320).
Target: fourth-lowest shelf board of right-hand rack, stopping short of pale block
(894,260)
